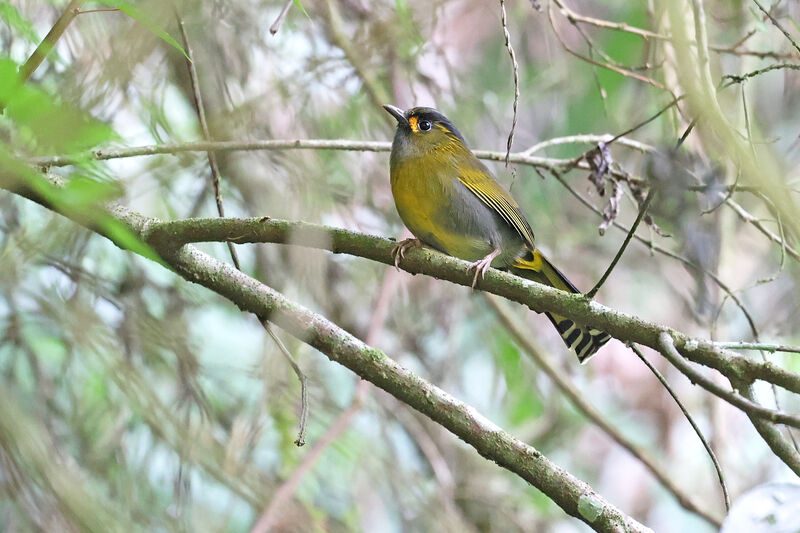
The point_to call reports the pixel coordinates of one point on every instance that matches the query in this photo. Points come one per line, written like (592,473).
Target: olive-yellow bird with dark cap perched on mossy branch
(451,201)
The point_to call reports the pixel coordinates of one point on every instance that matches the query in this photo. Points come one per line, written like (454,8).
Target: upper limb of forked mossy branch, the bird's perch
(534,295)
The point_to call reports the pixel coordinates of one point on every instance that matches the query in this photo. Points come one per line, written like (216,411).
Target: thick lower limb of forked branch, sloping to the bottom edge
(570,493)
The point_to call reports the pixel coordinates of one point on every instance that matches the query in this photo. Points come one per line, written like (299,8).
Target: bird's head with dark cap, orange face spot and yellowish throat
(423,131)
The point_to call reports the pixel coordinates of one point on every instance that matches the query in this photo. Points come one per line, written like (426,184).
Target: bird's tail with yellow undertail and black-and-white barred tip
(584,340)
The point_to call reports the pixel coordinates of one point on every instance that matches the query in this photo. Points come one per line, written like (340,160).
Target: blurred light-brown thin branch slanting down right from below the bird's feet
(569,390)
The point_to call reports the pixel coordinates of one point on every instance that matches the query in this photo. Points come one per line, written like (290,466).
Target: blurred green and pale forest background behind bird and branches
(132,398)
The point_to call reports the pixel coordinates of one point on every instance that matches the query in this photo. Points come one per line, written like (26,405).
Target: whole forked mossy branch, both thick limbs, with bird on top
(170,240)
